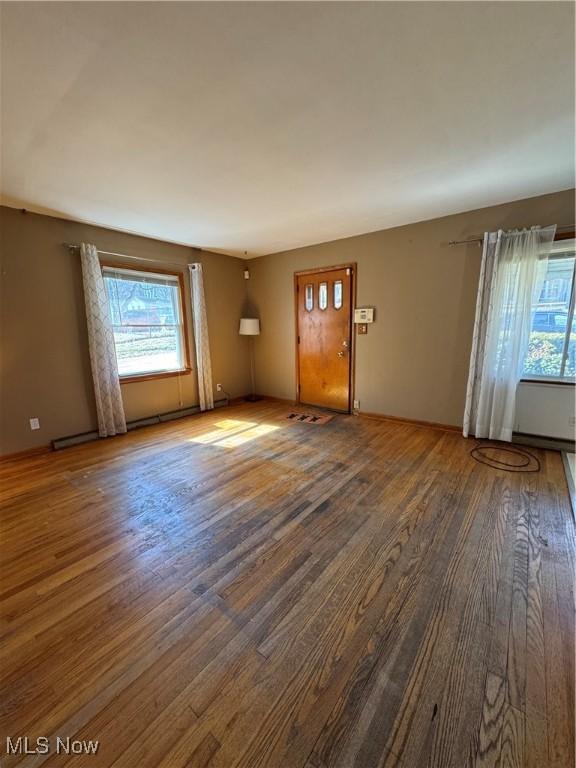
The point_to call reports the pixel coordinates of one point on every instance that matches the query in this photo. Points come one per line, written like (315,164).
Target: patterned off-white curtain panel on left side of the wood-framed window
(109,406)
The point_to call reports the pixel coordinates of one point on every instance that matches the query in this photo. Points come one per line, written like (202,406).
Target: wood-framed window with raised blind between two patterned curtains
(147,320)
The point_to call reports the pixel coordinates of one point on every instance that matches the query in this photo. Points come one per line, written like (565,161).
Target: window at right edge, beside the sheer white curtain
(552,346)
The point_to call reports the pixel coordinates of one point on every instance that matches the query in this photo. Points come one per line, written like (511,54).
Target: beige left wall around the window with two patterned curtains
(45,364)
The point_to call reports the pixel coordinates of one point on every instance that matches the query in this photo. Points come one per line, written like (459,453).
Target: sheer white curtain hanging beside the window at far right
(511,277)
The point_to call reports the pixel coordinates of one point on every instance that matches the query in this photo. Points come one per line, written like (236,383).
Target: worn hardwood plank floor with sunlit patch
(234,589)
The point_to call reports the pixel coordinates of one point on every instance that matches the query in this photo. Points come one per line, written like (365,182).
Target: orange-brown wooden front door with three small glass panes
(324,337)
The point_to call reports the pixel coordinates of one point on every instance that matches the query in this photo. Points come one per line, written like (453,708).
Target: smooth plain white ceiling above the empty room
(265,126)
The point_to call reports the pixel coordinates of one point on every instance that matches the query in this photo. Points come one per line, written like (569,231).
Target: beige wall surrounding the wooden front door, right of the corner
(413,362)
